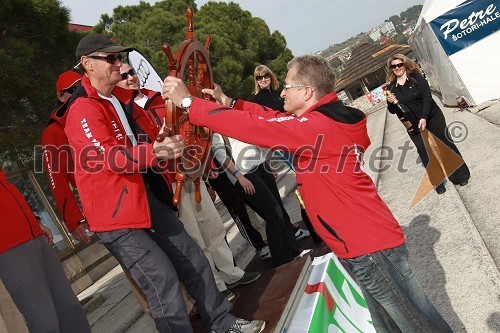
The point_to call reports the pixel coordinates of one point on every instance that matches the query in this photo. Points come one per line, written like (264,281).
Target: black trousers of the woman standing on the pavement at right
(436,124)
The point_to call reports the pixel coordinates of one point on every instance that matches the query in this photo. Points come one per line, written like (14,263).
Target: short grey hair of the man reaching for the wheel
(315,71)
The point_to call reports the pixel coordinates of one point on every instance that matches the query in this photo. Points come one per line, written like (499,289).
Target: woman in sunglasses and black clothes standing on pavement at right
(408,88)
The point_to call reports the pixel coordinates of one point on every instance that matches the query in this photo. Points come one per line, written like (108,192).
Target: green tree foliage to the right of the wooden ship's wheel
(243,41)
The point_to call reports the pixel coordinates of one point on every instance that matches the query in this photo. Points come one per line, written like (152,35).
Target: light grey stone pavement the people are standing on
(452,238)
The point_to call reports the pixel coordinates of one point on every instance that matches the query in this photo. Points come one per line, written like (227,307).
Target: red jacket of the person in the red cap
(60,169)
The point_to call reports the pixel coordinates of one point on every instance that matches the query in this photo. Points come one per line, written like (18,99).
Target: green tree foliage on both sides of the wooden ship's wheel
(239,41)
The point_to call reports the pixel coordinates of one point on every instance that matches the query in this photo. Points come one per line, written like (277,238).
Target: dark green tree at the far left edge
(35,47)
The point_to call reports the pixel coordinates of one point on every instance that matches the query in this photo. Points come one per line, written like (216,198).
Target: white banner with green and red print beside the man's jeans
(331,302)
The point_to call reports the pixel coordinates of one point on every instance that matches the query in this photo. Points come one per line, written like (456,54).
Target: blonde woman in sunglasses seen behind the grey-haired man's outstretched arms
(265,90)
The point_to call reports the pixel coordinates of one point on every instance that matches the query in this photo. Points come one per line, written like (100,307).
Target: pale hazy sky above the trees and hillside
(308,25)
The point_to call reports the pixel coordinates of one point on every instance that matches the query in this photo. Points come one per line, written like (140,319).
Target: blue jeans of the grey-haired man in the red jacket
(396,301)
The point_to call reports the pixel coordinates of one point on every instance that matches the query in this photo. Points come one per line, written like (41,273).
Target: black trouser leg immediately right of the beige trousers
(236,206)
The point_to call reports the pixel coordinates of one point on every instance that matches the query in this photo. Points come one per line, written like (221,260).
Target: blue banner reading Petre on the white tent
(466,24)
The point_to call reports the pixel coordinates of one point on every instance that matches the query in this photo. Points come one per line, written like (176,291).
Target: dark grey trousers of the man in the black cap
(157,258)
